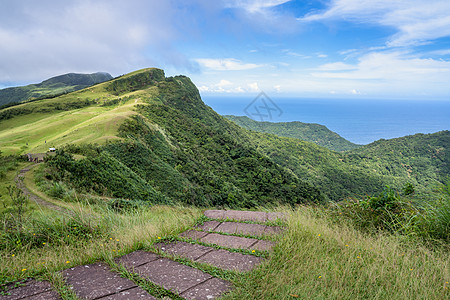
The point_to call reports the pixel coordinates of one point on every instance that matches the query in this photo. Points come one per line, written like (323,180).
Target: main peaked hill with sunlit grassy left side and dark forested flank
(155,134)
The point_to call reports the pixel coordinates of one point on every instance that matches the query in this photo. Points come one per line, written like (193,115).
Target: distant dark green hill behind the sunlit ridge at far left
(54,86)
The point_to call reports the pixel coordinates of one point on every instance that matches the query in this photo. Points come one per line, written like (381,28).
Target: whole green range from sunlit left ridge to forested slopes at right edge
(156,134)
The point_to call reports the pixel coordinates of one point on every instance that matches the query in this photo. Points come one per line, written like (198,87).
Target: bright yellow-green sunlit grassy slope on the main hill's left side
(42,128)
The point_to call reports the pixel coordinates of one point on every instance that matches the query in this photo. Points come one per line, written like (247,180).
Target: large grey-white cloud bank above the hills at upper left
(39,39)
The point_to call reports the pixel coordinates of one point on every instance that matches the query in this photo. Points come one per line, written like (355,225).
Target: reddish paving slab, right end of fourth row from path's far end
(230,260)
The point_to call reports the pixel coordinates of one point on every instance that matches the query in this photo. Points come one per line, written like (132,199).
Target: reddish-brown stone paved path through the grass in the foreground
(98,281)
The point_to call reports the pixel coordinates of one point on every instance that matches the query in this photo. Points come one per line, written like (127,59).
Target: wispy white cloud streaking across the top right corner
(417,21)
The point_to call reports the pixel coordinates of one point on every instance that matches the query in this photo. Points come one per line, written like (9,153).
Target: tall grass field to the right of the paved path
(318,259)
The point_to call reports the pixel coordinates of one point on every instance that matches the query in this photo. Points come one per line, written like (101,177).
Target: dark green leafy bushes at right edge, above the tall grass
(389,211)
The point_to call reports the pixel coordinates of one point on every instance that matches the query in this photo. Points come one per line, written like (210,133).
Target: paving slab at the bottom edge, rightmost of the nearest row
(208,290)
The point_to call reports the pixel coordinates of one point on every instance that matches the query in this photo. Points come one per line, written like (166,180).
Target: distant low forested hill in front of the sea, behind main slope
(318,134)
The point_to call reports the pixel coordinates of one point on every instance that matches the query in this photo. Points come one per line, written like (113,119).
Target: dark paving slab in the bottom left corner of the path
(31,289)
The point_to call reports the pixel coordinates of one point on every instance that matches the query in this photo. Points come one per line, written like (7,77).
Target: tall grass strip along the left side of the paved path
(49,242)
